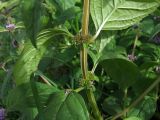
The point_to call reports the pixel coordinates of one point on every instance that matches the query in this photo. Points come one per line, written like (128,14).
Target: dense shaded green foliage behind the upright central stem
(130,57)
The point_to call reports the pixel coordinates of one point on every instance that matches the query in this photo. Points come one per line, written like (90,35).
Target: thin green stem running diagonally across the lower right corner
(153,85)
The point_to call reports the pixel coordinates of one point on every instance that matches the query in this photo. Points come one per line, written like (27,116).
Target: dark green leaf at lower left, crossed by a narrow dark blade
(22,96)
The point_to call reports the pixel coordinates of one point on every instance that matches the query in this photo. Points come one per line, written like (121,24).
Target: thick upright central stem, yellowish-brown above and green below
(83,59)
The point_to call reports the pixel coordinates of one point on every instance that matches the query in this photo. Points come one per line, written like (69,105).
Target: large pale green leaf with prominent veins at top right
(119,14)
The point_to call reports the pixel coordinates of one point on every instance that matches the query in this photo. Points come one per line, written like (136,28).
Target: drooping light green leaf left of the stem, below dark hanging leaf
(27,63)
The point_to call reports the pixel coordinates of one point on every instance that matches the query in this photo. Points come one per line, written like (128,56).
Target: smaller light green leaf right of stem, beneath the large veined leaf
(106,48)
